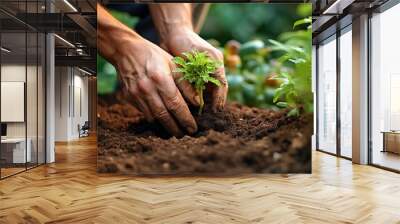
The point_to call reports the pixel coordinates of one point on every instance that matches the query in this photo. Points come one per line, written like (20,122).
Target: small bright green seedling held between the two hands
(196,67)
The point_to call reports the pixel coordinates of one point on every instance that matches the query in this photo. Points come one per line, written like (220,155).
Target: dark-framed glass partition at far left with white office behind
(22,82)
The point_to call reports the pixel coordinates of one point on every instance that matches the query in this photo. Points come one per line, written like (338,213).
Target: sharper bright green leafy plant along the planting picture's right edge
(293,69)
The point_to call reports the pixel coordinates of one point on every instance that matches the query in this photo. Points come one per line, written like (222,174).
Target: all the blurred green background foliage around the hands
(267,53)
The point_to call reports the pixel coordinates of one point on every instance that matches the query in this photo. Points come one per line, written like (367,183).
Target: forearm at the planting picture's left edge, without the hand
(112,35)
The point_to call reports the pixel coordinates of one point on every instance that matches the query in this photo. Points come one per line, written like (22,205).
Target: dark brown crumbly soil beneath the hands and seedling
(234,141)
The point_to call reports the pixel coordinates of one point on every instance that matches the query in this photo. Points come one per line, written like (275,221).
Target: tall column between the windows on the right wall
(360,90)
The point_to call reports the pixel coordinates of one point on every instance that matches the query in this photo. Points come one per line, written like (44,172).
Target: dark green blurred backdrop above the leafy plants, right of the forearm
(247,21)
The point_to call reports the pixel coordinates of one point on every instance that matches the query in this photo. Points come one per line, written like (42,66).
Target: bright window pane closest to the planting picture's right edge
(327,96)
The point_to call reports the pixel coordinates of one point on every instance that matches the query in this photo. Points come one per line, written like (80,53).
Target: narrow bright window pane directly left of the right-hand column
(346,94)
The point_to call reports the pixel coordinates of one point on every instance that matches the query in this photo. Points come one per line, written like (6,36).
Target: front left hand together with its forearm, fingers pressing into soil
(146,71)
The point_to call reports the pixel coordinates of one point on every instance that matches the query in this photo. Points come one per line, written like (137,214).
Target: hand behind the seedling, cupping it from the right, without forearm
(184,40)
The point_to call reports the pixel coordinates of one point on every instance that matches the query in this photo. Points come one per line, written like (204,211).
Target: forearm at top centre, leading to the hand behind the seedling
(170,17)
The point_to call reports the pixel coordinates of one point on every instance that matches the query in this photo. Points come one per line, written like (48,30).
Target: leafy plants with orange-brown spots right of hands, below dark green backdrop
(273,73)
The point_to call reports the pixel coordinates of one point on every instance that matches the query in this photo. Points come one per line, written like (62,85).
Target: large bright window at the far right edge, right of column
(386,89)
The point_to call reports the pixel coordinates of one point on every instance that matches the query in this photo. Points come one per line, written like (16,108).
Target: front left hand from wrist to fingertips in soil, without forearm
(147,73)
